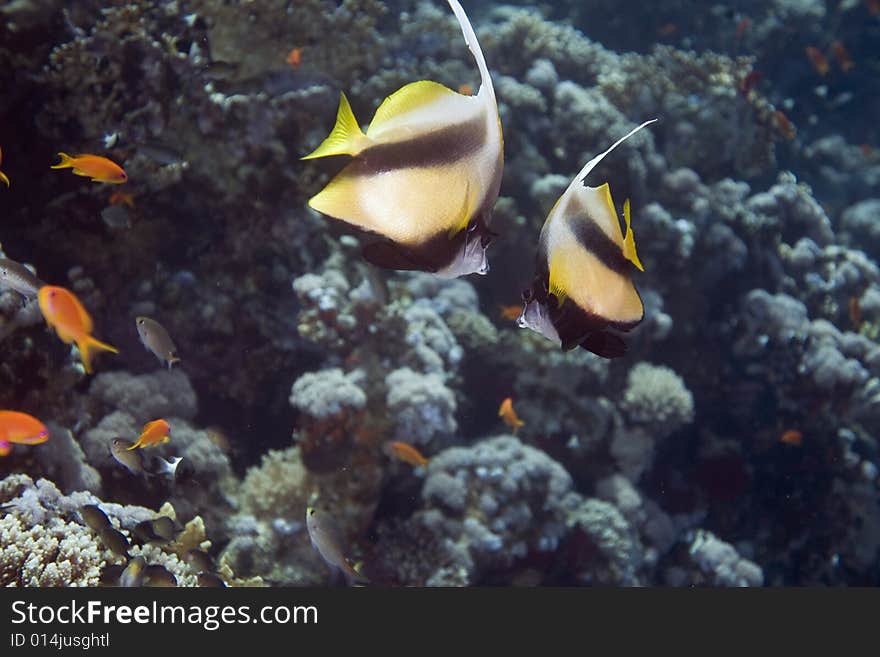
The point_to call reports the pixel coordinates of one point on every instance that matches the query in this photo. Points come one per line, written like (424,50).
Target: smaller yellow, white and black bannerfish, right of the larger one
(583,287)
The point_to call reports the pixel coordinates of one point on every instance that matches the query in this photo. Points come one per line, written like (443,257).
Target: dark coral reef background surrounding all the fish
(734,444)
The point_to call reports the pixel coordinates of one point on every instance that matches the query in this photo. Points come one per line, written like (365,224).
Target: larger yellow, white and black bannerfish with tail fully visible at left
(425,176)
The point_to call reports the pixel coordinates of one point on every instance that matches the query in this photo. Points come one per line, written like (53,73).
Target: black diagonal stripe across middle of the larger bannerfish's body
(444,146)
